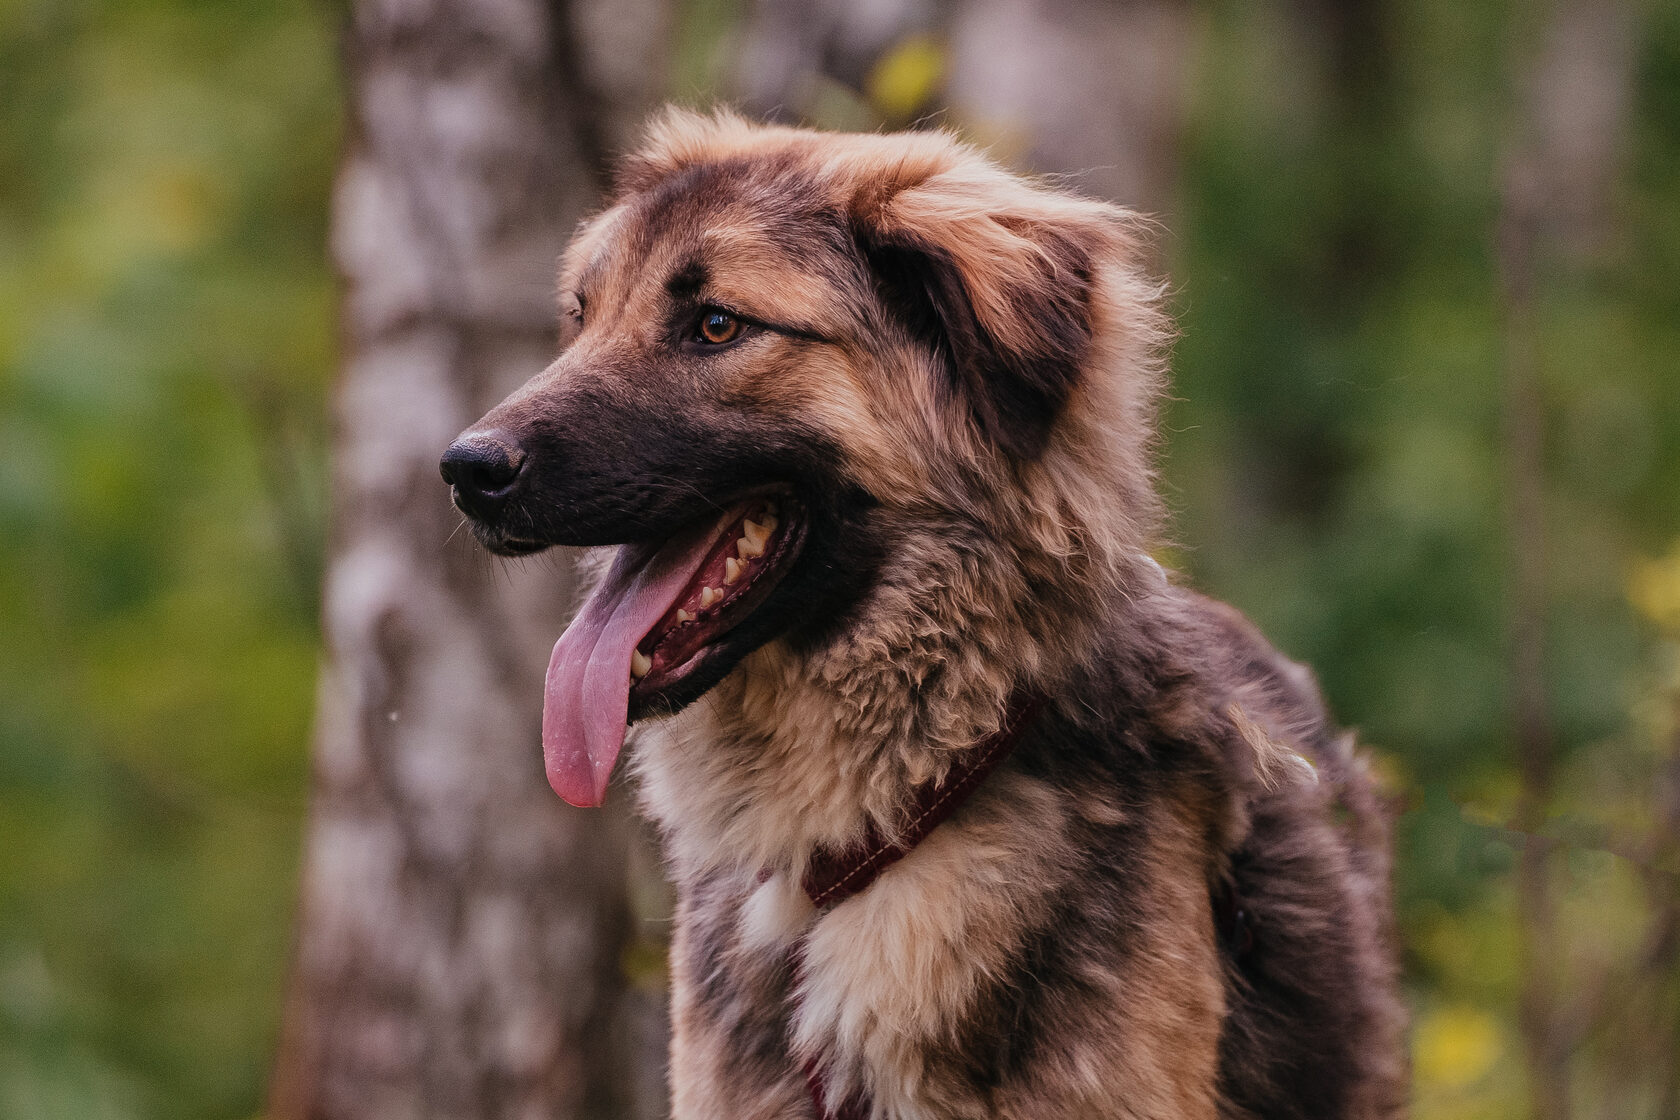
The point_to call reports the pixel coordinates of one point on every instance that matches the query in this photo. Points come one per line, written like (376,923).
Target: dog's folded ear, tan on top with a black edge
(997,275)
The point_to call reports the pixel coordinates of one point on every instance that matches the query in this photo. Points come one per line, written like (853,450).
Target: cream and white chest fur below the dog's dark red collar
(883,990)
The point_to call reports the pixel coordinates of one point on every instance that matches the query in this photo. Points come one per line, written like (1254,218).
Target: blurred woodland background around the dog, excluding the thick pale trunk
(1425,431)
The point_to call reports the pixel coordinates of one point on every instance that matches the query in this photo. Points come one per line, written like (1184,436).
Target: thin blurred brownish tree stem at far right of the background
(1557,202)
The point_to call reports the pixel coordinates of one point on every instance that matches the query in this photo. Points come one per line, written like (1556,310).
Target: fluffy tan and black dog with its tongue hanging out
(970,809)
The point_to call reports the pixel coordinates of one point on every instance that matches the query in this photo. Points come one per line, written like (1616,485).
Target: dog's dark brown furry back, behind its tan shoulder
(1303,899)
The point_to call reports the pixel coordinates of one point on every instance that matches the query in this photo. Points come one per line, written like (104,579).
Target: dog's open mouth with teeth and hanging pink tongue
(659,617)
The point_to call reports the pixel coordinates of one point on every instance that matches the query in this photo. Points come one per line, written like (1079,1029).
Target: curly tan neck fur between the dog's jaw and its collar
(797,753)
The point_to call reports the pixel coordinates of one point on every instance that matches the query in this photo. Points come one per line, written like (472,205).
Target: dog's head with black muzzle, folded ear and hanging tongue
(770,340)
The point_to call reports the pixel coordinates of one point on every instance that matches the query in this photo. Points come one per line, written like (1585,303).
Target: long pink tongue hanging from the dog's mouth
(587,696)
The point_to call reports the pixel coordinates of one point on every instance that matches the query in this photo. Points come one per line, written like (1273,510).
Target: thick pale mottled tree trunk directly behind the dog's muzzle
(461,931)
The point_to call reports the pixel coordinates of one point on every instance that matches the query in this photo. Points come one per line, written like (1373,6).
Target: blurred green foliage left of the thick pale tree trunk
(165,340)
